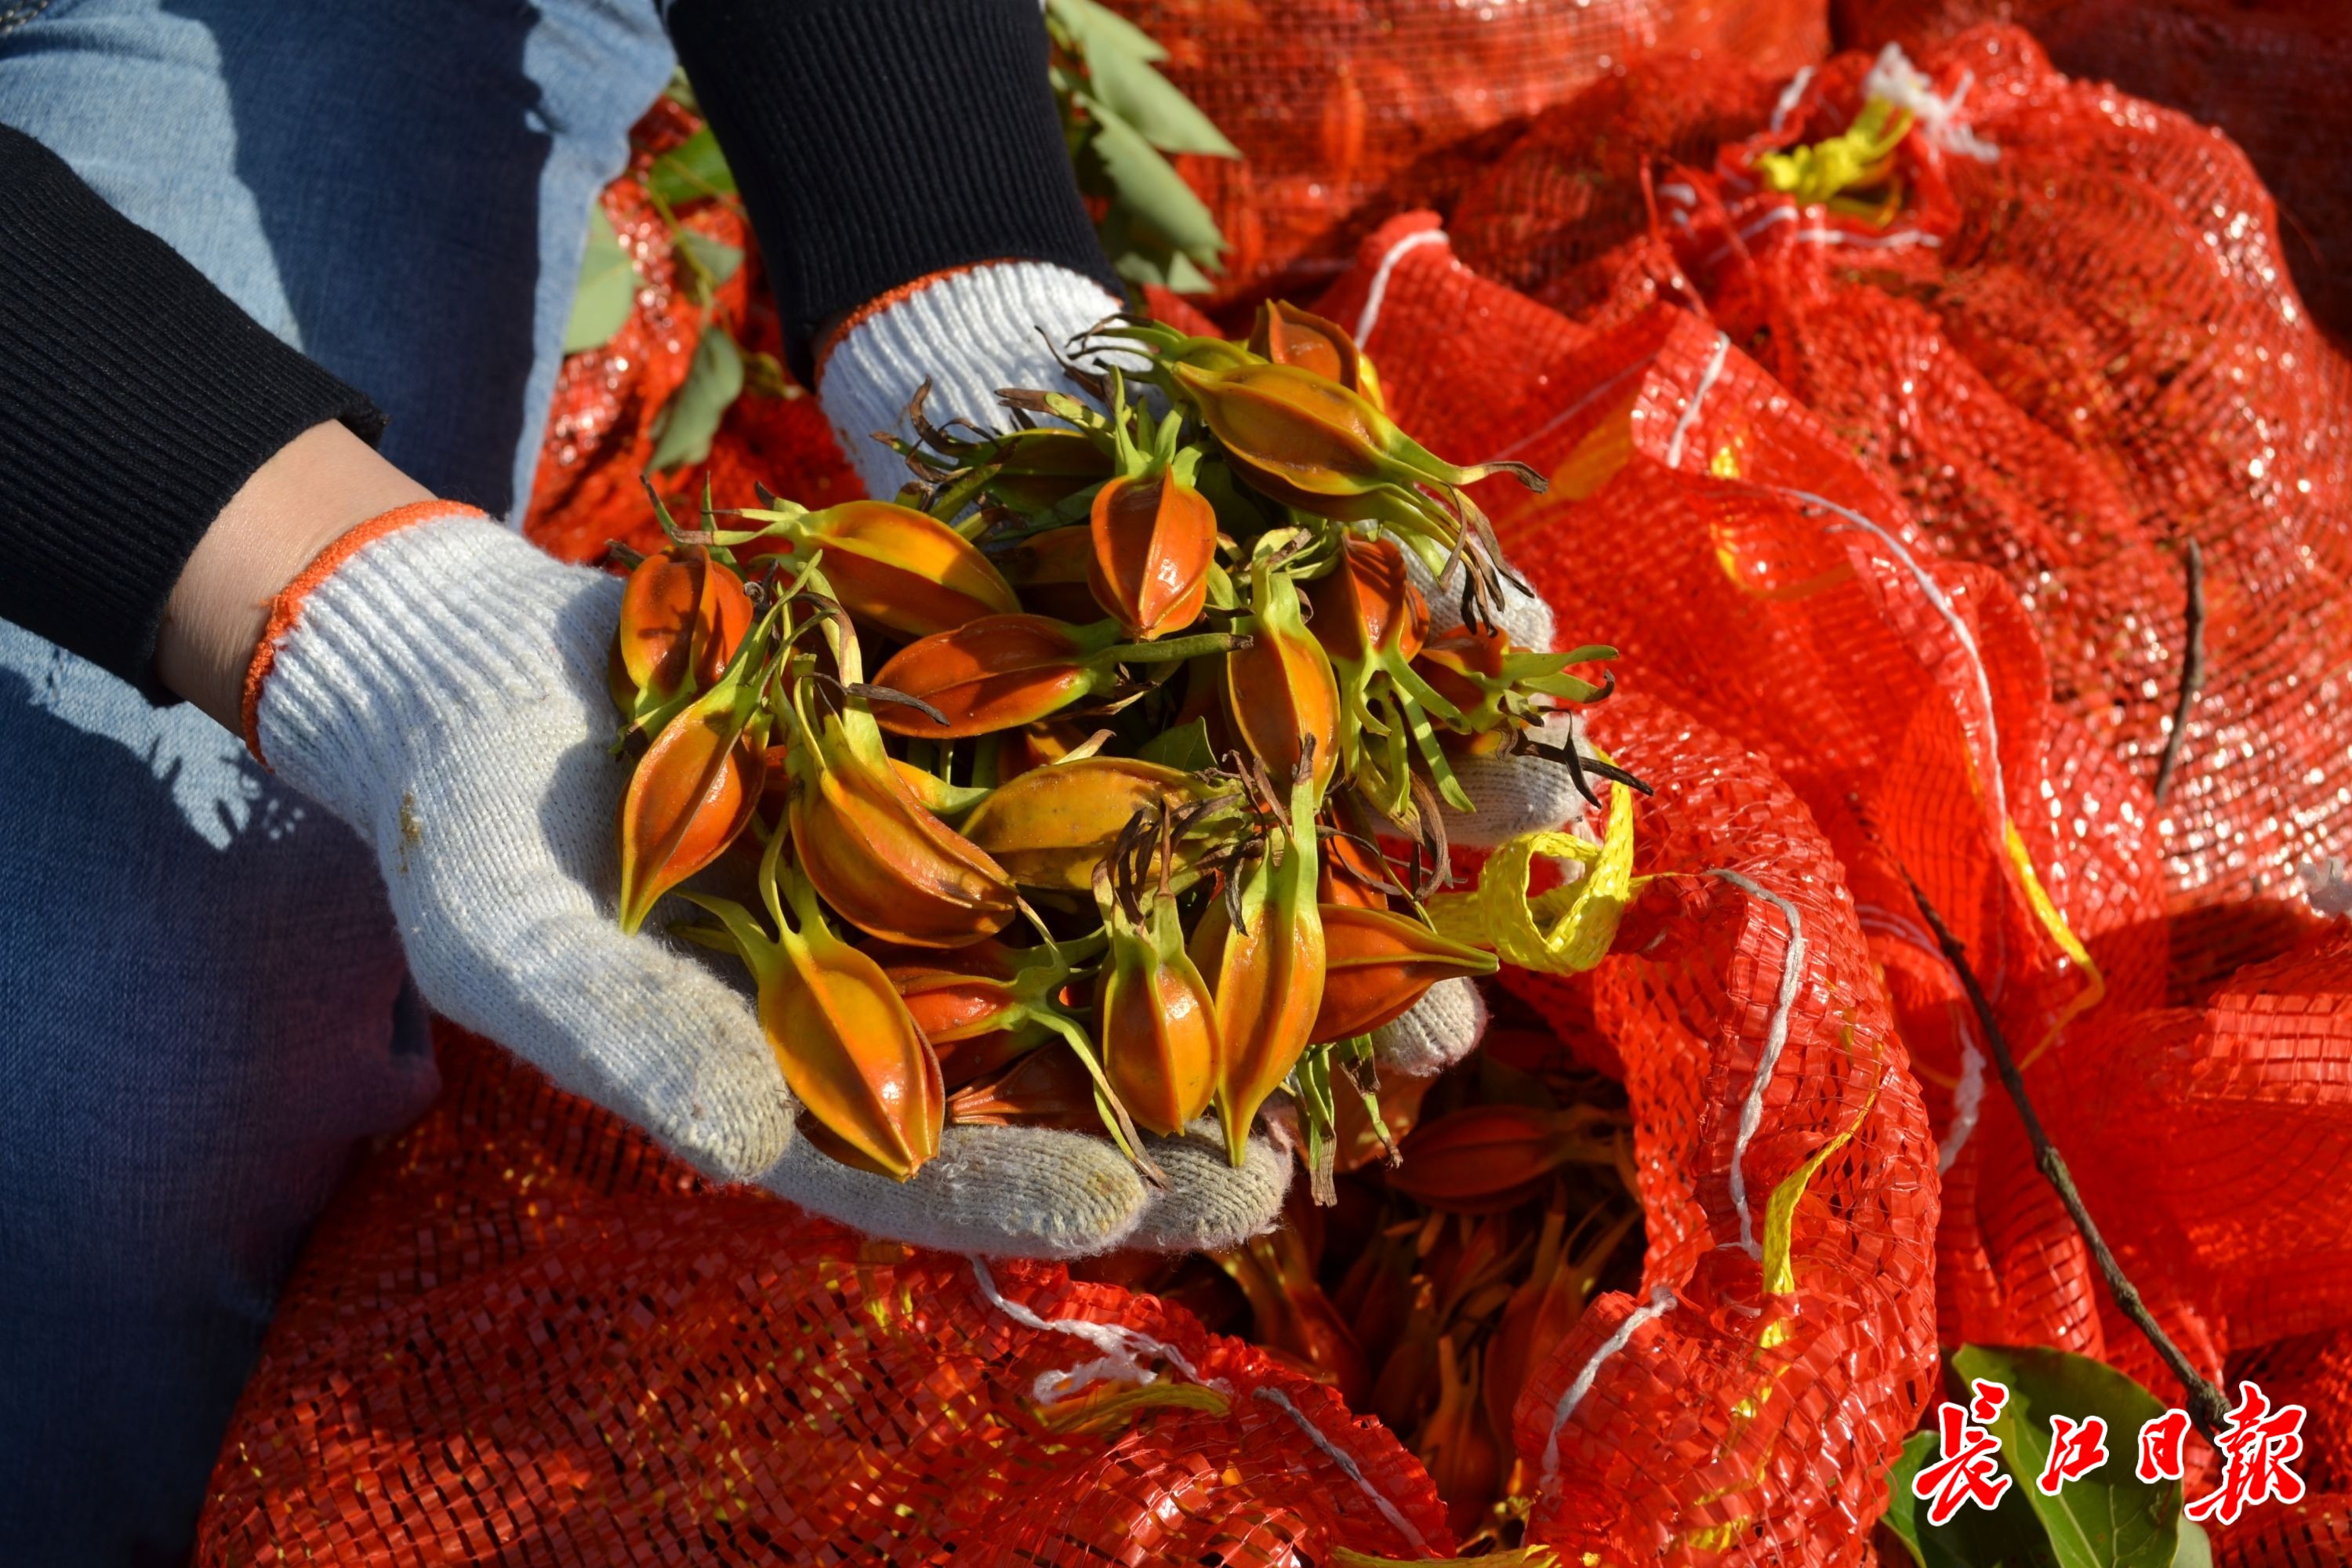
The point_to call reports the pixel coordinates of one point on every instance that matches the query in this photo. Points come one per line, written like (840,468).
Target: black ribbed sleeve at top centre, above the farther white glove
(878,142)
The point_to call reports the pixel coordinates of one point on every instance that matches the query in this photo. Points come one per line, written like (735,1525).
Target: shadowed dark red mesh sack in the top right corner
(2264,72)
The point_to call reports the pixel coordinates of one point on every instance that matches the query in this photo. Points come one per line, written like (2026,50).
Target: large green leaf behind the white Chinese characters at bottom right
(2109,1517)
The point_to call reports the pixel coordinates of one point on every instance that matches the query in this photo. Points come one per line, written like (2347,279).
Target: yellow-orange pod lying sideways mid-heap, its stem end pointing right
(1053,826)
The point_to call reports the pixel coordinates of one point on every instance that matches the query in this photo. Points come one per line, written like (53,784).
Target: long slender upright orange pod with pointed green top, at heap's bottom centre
(1267,974)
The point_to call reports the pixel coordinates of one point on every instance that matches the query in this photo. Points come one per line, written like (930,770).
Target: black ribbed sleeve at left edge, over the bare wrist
(135,401)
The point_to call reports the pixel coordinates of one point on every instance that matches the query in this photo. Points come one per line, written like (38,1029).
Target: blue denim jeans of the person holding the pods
(203,1014)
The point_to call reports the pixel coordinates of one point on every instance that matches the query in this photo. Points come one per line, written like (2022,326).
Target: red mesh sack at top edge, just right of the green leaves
(1349,112)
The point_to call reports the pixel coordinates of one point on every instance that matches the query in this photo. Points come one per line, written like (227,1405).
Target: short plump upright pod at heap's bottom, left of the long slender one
(1156,1021)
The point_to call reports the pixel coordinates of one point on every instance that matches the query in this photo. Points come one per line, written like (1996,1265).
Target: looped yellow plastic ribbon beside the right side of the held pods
(1565,930)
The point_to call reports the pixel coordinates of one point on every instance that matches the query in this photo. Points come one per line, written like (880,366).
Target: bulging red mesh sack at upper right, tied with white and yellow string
(2071,361)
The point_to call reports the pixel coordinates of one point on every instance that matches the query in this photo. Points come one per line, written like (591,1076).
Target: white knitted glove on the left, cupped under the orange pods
(439,685)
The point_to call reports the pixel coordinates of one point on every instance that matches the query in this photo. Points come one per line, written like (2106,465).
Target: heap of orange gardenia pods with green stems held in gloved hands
(1095,782)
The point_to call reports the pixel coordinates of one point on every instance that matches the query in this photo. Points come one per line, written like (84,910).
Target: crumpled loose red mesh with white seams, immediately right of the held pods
(1765,584)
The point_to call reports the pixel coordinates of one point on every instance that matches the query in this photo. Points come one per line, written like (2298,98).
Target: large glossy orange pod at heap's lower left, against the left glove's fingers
(848,1047)
